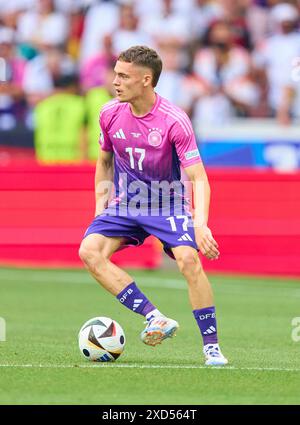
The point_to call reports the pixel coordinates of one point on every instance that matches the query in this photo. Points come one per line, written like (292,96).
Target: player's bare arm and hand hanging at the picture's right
(201,196)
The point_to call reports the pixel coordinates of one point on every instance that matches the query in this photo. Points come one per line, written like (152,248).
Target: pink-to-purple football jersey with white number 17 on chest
(147,149)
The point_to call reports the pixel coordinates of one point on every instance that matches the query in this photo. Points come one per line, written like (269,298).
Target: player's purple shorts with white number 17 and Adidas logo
(172,231)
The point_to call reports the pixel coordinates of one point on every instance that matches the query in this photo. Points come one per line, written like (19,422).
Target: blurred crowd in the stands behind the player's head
(222,58)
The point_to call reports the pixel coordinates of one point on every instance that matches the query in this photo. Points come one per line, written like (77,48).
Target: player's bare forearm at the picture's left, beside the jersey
(103,180)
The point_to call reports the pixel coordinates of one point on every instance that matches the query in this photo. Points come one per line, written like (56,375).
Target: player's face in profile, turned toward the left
(130,81)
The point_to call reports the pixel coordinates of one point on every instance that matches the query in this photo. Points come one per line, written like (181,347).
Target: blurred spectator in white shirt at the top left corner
(40,26)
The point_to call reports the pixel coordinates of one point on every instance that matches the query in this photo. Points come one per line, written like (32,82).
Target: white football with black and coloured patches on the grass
(101,339)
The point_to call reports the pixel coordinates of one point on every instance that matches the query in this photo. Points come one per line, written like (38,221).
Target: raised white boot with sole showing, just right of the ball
(158,329)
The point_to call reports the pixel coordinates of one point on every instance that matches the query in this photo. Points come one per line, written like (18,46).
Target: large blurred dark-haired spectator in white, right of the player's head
(224,70)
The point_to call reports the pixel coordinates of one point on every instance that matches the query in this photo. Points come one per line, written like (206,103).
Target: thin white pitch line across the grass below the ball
(145,366)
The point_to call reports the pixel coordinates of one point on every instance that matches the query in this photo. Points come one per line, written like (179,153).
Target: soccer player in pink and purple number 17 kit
(144,140)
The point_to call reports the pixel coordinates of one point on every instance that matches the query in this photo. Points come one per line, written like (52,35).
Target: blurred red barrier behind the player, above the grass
(255,217)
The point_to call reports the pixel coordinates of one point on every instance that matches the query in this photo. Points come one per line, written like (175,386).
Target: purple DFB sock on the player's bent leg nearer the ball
(135,300)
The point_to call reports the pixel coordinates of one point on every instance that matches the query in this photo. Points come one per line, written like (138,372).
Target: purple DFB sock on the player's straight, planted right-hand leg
(206,320)
